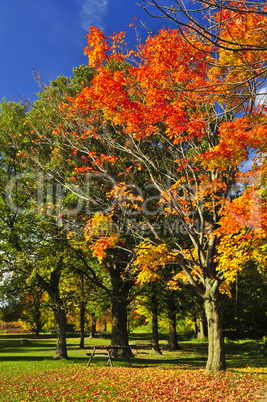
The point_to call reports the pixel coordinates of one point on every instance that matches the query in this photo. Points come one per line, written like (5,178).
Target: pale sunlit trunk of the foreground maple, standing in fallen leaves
(216,352)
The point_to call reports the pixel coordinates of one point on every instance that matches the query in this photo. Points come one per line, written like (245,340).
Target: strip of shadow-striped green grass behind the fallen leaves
(193,353)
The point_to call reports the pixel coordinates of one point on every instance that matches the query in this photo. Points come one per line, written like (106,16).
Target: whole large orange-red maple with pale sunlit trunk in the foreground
(188,145)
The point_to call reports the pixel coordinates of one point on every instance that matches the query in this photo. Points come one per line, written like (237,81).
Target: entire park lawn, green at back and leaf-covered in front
(28,372)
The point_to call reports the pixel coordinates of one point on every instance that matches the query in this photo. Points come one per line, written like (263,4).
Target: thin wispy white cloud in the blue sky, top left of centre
(93,13)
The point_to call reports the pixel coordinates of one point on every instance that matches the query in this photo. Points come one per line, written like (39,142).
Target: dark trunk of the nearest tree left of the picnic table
(61,323)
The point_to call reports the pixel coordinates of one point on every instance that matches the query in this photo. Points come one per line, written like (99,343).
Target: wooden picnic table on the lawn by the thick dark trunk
(110,352)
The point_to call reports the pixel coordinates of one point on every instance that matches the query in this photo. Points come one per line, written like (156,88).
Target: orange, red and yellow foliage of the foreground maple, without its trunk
(168,95)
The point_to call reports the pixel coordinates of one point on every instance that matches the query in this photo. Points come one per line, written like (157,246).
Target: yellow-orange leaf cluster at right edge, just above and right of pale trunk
(242,234)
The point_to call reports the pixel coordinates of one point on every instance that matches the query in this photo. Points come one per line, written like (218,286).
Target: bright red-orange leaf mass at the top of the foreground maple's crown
(158,90)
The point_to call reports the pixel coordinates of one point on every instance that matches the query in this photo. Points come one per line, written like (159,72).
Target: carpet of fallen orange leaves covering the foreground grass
(129,384)
